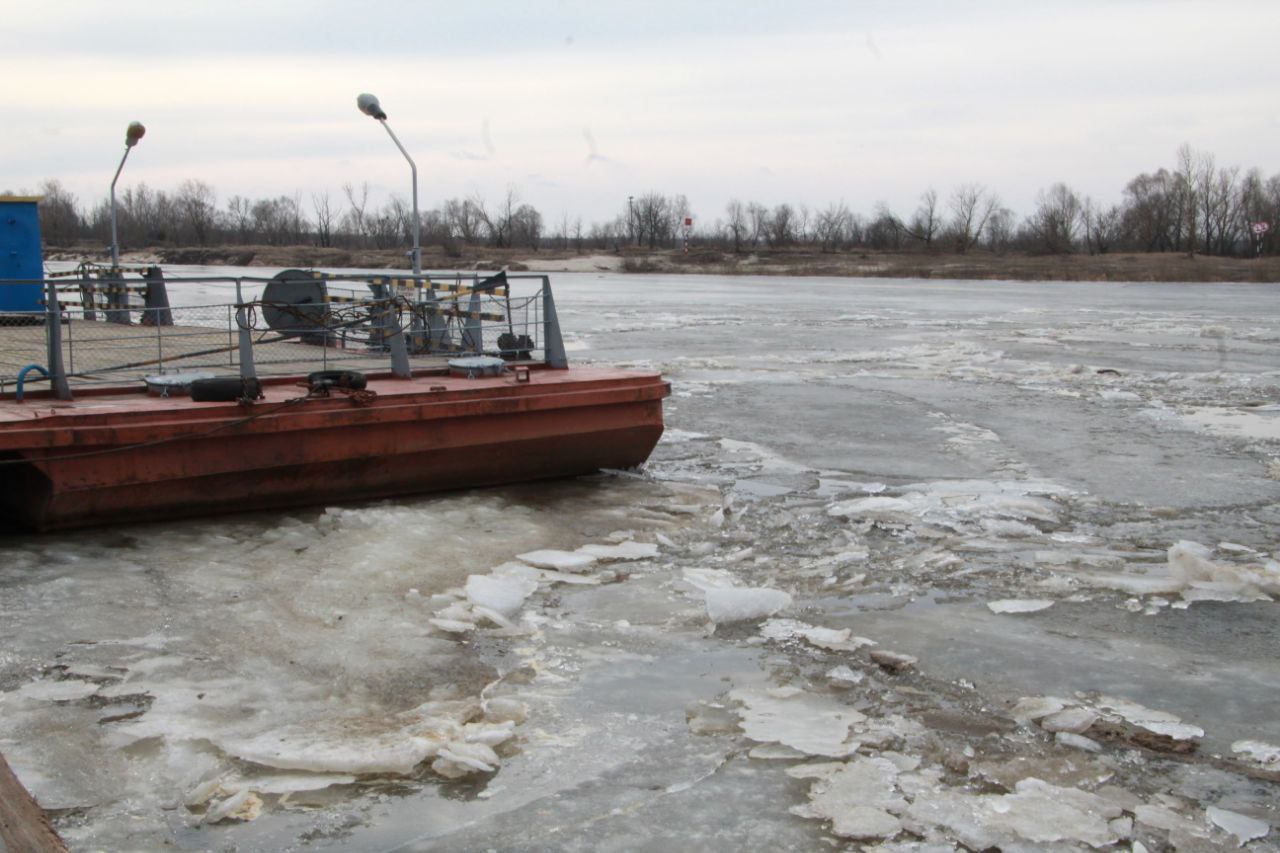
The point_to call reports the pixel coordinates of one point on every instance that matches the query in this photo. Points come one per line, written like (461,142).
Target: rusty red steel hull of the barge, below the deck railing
(130,458)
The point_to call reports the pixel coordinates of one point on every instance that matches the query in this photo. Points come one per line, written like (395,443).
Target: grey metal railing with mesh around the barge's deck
(99,327)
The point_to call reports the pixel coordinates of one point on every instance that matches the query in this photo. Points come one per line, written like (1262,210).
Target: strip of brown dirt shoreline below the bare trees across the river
(854,264)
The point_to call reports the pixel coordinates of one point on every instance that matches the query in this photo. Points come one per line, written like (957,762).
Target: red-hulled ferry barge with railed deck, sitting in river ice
(305,389)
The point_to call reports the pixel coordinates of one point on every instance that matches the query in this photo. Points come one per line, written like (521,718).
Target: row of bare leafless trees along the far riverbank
(1194,207)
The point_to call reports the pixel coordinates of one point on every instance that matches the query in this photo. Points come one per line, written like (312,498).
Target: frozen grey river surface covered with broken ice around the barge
(917,565)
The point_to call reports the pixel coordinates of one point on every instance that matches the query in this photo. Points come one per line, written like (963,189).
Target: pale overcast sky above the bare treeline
(580,104)
